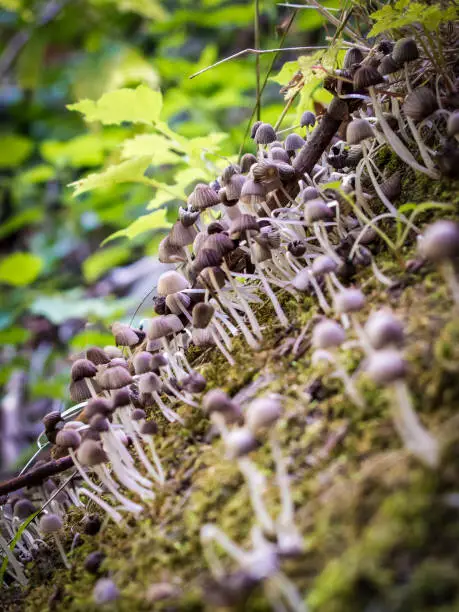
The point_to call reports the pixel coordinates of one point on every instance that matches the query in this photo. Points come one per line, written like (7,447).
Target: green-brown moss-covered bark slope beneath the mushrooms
(380,531)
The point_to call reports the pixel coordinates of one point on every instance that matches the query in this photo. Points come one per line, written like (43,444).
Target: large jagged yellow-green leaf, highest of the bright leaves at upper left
(140,105)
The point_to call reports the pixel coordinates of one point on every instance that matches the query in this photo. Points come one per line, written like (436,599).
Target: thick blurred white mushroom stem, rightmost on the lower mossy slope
(415,437)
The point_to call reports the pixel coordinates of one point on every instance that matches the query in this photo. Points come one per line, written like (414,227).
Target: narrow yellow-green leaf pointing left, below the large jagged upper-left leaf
(129,171)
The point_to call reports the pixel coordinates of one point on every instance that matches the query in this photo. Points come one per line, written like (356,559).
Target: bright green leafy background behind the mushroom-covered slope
(96,94)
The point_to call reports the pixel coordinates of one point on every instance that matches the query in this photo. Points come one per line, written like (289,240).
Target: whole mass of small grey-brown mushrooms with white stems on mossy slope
(259,231)
